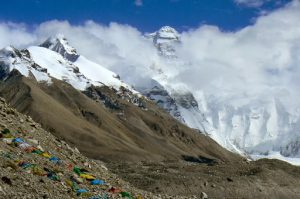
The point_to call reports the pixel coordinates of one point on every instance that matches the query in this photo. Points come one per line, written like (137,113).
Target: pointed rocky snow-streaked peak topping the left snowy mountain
(60,44)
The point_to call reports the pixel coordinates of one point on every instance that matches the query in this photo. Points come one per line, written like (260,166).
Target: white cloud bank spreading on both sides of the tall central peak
(256,61)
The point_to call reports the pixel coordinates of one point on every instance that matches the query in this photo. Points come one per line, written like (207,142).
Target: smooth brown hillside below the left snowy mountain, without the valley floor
(128,133)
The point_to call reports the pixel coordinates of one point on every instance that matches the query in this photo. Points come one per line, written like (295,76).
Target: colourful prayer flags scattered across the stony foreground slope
(76,175)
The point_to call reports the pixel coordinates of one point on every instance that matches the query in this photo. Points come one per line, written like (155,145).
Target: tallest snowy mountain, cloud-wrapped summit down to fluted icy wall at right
(239,123)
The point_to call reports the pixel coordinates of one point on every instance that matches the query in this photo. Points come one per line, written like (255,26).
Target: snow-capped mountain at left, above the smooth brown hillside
(56,58)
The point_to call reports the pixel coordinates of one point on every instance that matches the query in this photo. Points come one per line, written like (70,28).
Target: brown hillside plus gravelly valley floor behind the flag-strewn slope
(146,146)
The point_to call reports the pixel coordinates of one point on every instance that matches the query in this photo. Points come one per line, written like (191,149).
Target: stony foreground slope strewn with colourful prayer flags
(35,164)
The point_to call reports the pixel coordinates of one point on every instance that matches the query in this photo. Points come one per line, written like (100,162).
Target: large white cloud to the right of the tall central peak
(259,59)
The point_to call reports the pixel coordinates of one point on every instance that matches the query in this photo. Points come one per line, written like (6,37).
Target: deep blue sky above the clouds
(145,15)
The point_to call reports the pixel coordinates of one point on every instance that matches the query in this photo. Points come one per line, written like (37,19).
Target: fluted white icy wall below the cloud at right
(257,128)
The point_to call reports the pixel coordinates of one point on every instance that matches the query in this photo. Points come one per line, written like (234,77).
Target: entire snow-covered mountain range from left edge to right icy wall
(259,127)
